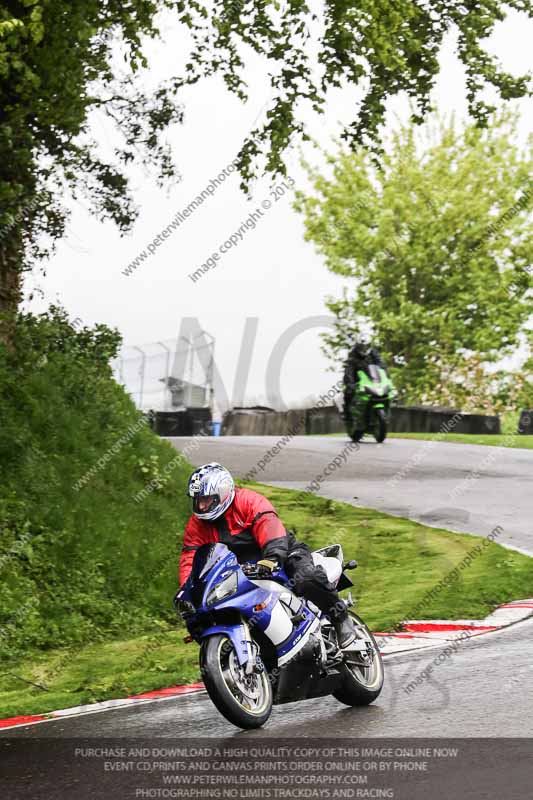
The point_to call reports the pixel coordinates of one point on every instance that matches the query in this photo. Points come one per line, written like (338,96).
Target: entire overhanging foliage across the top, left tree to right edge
(59,64)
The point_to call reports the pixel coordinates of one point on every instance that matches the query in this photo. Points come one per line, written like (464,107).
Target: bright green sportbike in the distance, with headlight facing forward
(367,407)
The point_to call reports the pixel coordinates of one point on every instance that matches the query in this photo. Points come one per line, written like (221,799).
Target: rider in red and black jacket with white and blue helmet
(247,523)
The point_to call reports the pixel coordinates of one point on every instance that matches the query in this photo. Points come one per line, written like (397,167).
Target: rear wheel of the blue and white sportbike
(362,676)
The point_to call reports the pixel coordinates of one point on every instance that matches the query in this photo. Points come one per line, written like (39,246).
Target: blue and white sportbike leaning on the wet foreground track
(262,645)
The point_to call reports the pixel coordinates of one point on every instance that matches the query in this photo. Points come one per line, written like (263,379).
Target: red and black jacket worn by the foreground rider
(250,528)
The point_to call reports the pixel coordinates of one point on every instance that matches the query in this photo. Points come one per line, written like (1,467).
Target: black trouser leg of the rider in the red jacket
(310,581)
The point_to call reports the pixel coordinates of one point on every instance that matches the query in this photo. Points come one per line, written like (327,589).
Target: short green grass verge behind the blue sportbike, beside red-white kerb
(399,563)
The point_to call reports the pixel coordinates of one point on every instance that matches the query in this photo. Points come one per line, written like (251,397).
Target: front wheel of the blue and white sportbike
(245,700)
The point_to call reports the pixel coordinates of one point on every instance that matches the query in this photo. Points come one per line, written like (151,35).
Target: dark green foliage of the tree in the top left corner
(58,64)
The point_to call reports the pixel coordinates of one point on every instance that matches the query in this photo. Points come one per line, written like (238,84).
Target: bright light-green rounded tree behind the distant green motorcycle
(439,243)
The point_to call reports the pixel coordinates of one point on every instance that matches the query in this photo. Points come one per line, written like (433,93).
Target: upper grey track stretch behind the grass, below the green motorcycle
(464,488)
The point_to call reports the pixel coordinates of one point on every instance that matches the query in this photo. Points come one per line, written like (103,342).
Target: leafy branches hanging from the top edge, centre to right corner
(382,48)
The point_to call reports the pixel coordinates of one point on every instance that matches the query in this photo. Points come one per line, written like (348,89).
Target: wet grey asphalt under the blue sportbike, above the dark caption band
(484,690)
